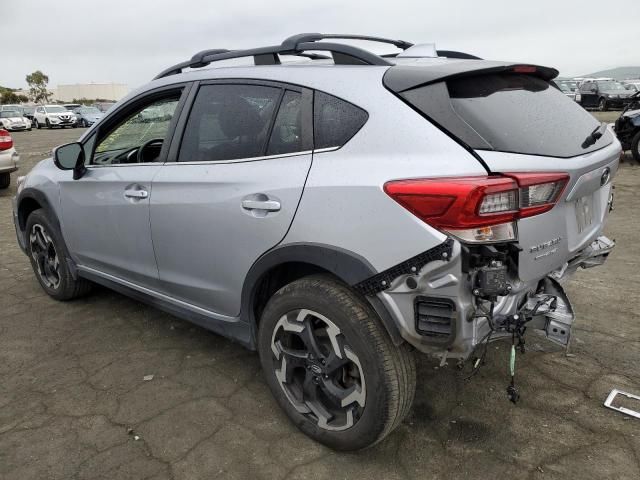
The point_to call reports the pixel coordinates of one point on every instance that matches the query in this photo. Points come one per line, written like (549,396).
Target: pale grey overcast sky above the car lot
(129,41)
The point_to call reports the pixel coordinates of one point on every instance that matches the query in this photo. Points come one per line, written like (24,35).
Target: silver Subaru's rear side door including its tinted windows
(230,188)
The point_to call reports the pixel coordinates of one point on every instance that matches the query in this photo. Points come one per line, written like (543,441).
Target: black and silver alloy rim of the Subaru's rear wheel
(318,372)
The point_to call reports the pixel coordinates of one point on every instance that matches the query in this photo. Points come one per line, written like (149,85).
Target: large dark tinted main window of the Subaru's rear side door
(229,122)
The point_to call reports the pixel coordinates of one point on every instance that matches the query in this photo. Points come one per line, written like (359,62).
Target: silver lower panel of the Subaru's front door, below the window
(106,230)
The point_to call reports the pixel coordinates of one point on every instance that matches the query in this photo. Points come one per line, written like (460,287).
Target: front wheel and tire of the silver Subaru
(48,254)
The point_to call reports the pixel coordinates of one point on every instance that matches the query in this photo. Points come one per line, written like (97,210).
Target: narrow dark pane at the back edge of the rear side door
(286,136)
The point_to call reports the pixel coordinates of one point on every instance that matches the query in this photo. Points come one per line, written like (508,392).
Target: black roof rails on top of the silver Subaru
(295,45)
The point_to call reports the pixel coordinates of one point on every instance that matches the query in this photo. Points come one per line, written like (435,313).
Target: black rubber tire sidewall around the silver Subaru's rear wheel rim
(368,428)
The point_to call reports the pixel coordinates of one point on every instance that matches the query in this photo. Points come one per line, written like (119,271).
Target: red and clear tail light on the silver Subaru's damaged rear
(479,209)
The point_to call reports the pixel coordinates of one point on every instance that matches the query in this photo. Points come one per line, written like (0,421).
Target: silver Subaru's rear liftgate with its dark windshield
(520,123)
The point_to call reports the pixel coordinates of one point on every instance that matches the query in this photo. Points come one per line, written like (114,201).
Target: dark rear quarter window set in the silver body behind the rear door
(335,121)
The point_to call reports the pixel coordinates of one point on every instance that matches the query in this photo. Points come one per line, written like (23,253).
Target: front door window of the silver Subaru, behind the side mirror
(147,126)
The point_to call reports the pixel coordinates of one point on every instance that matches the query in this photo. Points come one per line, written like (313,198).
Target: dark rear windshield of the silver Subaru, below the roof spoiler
(510,113)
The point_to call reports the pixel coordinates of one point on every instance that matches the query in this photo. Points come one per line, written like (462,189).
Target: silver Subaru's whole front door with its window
(106,212)
